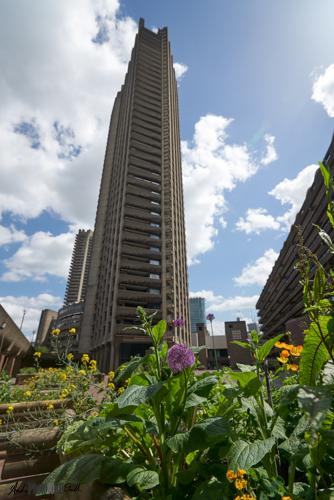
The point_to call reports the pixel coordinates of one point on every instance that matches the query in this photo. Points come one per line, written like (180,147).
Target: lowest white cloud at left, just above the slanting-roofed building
(34,305)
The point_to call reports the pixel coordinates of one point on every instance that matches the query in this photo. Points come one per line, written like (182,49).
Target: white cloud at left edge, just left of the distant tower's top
(40,255)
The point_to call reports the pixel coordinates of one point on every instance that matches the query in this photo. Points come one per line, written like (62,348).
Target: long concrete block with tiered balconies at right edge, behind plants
(281,299)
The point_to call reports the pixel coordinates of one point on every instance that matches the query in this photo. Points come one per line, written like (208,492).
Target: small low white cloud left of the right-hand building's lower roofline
(259,272)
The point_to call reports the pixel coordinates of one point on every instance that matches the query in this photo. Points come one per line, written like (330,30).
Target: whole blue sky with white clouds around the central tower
(256,98)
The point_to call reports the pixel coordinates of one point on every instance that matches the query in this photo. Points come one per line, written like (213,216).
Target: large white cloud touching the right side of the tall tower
(210,166)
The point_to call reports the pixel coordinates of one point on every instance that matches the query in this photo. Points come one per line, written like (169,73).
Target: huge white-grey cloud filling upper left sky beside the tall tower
(56,103)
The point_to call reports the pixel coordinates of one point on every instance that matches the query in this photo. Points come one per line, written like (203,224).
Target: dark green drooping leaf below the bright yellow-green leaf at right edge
(315,401)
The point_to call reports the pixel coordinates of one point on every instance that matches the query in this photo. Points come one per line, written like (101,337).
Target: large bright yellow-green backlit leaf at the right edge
(315,354)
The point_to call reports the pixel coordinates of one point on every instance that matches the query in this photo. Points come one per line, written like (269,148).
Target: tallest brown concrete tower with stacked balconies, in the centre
(139,246)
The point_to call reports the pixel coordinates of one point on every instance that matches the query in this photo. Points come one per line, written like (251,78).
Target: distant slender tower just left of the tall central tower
(77,278)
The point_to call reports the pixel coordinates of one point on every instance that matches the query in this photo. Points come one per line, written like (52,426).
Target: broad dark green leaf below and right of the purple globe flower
(201,436)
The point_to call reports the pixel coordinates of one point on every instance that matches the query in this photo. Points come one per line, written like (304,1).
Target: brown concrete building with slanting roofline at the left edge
(14,346)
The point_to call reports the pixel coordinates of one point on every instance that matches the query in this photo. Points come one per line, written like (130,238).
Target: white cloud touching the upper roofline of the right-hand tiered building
(293,192)
